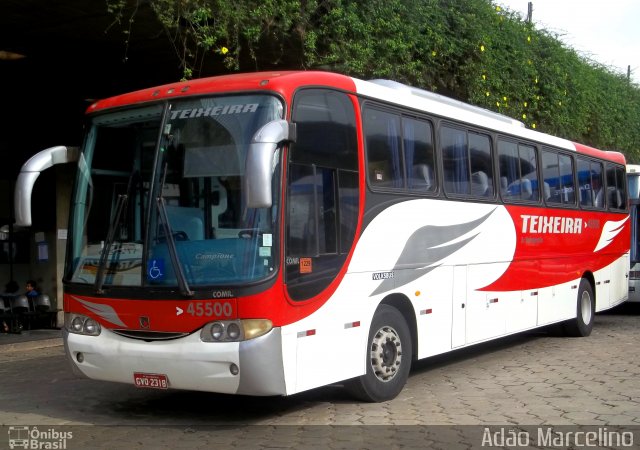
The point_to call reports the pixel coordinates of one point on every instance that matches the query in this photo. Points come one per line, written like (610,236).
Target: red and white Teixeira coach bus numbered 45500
(270,233)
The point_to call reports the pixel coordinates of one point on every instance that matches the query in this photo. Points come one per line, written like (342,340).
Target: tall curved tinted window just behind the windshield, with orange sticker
(322,192)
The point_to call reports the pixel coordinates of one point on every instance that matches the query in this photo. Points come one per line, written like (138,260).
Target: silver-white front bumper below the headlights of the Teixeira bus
(187,362)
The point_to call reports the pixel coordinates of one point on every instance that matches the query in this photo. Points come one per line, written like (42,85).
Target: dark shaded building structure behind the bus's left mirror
(56,57)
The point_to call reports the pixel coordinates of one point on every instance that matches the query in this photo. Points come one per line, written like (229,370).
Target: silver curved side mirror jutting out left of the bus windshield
(29,174)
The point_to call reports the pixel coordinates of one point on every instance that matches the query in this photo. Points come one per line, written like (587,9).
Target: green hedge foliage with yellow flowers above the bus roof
(469,49)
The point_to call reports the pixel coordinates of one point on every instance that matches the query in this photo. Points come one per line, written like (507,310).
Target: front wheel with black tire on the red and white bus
(389,354)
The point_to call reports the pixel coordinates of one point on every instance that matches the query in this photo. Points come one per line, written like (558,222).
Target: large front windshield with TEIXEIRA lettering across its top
(159,196)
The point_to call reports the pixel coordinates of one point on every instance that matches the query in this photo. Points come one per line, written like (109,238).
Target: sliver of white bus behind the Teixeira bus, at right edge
(633,180)
